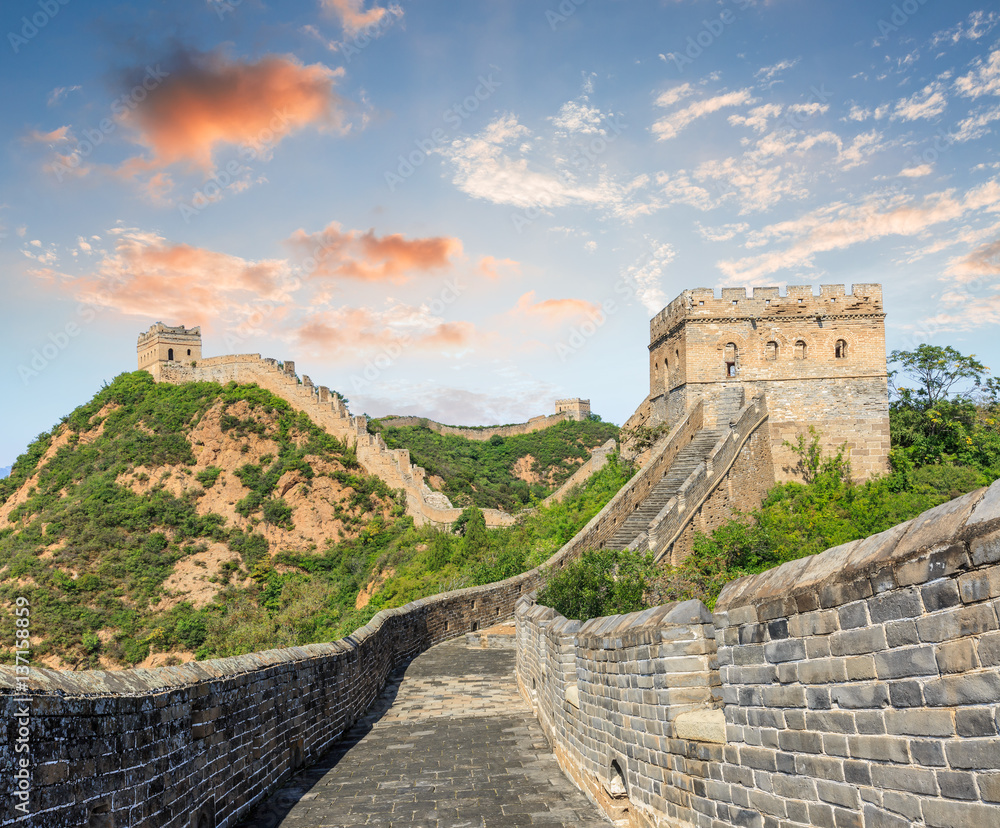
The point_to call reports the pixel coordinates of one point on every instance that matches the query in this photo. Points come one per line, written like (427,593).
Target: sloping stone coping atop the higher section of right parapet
(931,545)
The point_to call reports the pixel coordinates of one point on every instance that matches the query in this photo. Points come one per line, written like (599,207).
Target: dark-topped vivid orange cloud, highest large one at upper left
(208,100)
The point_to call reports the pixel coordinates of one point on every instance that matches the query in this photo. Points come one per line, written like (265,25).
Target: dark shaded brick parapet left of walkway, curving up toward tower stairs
(175,745)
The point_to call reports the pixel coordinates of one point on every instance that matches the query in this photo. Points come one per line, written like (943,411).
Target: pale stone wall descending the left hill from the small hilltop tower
(327,411)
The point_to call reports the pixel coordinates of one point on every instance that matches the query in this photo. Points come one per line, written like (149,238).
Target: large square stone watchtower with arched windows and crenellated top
(820,361)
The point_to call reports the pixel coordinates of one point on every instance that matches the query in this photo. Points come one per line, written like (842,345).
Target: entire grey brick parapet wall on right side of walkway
(859,687)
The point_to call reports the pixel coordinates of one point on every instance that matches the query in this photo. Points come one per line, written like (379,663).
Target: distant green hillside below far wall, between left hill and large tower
(502,472)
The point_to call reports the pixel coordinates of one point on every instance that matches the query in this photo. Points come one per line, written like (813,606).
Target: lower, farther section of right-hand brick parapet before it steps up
(612,694)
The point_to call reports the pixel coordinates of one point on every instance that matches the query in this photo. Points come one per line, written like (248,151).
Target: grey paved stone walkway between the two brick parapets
(449,744)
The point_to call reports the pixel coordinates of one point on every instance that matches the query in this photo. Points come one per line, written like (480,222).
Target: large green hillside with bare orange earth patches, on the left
(159,523)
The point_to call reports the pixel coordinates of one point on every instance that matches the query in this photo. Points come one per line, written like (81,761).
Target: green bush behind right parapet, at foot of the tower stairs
(599,582)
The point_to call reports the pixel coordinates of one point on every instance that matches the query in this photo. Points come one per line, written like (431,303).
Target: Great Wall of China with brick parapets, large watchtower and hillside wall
(854,688)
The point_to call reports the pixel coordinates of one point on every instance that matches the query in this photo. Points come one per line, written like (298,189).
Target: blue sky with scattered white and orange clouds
(469,210)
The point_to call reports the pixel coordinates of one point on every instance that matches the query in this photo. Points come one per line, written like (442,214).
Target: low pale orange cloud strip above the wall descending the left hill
(396,330)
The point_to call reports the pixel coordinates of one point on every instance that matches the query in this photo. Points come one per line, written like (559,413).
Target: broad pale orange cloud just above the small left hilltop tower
(145,275)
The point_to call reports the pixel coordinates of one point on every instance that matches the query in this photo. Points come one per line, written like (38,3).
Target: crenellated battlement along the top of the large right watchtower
(865,299)
